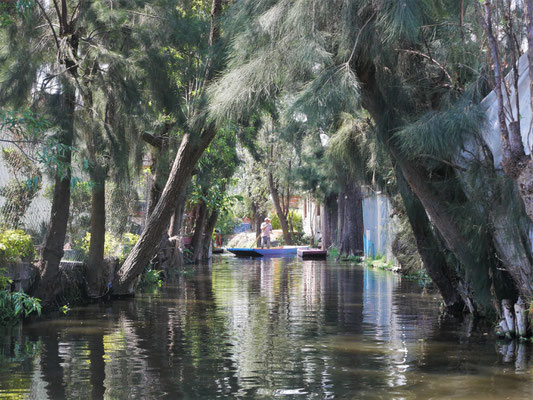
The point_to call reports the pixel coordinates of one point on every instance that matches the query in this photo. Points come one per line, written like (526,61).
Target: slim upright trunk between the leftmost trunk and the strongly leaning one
(96,274)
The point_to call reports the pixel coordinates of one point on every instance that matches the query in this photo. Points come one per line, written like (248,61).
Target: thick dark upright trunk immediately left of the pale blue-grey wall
(352,237)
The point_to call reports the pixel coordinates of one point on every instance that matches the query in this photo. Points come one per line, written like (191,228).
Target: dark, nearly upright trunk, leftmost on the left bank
(52,249)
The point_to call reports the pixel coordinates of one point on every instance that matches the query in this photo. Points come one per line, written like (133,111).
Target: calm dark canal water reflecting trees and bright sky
(262,329)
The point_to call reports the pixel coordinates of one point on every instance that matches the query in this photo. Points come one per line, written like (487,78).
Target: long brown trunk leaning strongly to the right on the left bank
(189,152)
